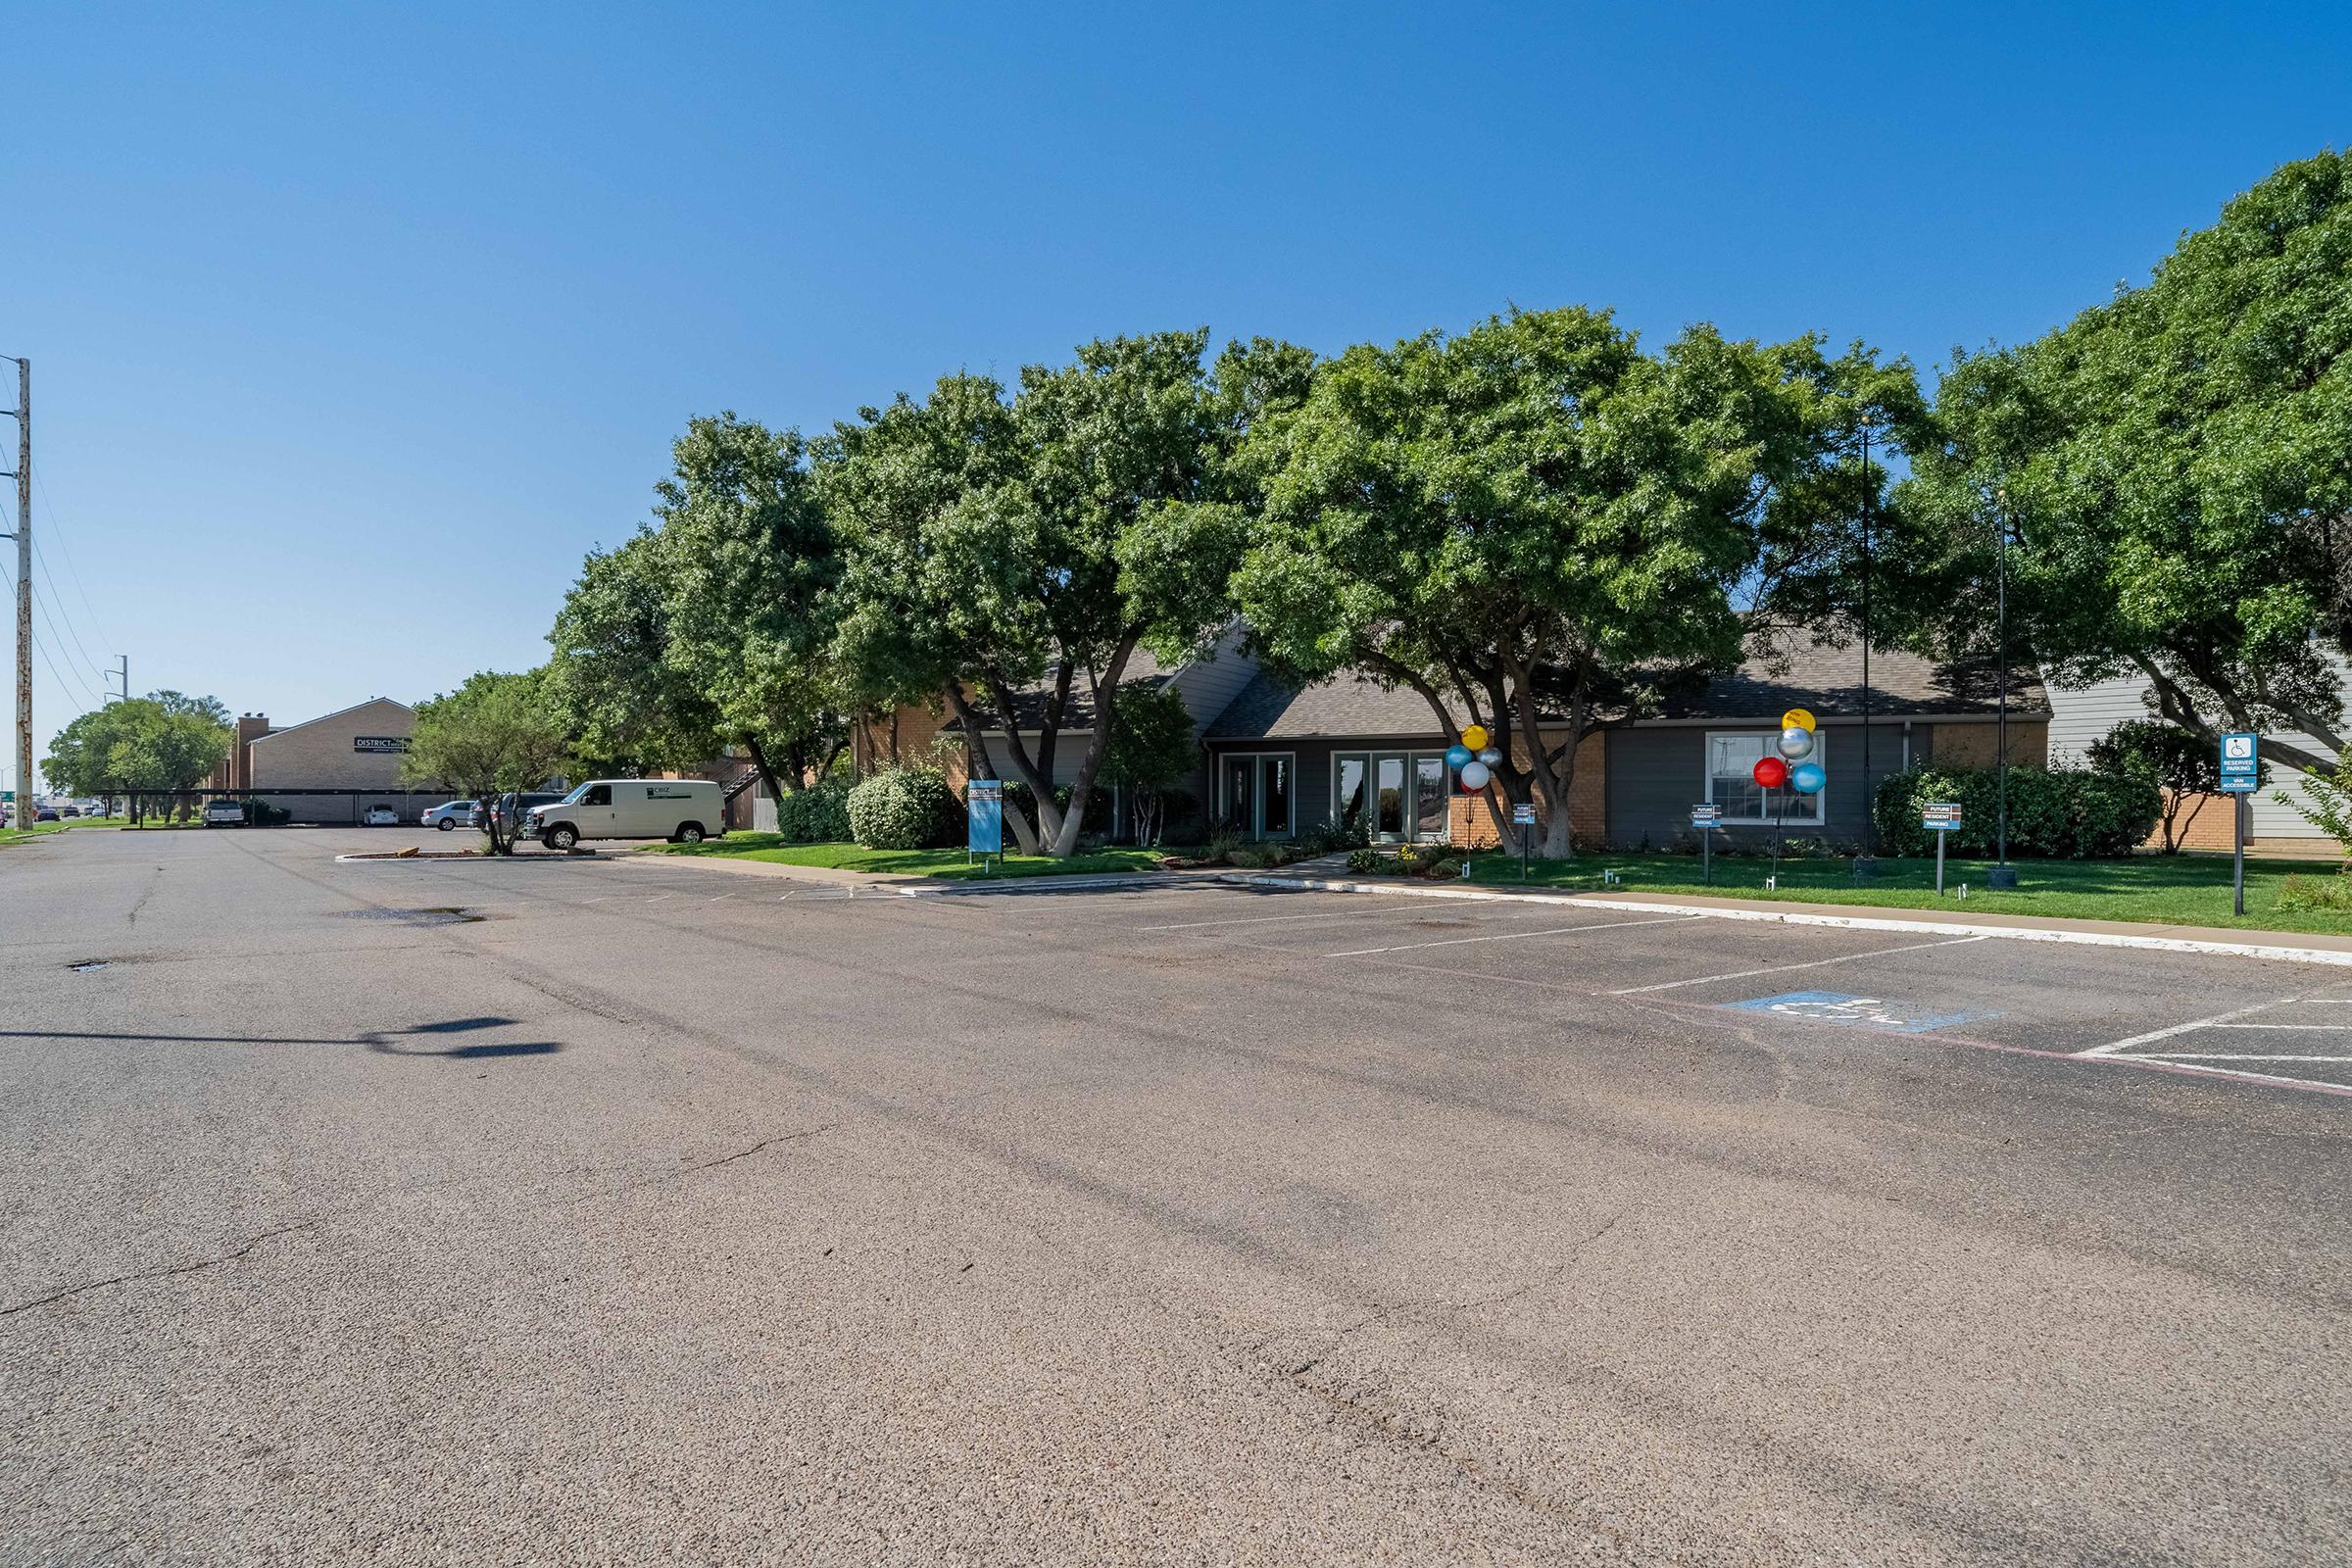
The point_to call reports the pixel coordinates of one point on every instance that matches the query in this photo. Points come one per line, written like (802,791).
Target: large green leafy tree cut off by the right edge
(2174,471)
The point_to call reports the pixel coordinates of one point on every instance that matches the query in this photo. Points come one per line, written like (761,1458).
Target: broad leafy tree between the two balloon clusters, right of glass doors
(1542,528)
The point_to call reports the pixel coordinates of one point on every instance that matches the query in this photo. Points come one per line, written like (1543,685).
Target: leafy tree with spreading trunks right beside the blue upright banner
(1003,549)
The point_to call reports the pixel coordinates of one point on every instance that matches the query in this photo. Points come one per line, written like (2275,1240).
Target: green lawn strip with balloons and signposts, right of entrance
(2163,890)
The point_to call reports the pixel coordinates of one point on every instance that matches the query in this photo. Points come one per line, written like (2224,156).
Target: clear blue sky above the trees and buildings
(356,328)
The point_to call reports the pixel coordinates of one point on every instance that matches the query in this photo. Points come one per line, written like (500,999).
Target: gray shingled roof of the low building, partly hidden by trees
(1826,681)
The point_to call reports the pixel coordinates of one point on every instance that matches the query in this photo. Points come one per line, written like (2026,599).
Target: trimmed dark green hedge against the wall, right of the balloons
(2054,815)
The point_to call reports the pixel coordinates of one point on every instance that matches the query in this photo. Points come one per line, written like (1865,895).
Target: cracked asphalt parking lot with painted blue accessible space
(650,1212)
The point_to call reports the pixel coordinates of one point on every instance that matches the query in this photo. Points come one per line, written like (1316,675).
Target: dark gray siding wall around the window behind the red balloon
(1657,775)
